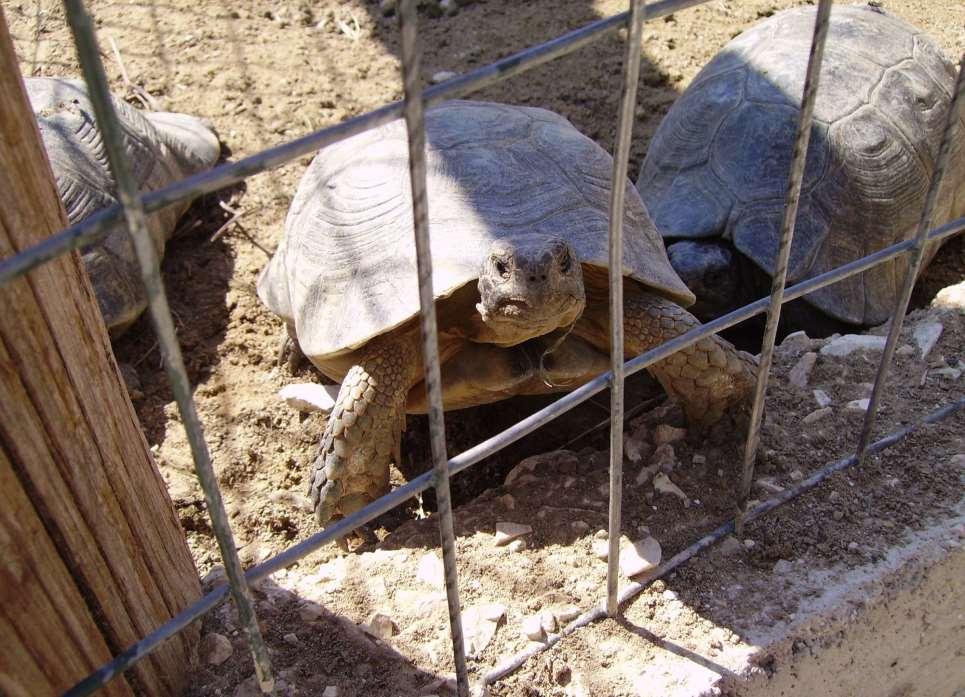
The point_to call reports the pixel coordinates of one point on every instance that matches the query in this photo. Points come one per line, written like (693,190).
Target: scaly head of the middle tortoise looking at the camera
(529,287)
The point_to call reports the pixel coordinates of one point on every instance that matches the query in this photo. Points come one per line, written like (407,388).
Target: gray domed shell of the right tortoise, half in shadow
(718,164)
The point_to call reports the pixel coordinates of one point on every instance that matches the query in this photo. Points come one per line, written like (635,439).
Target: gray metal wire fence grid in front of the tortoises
(133,207)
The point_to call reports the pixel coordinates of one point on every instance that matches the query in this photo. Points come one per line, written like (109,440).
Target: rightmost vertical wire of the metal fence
(914,266)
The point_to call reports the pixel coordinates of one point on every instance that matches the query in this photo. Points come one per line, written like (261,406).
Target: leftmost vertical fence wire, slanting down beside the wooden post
(93,69)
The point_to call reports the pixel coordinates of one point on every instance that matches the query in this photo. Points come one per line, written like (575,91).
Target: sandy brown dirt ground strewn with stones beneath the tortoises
(264,72)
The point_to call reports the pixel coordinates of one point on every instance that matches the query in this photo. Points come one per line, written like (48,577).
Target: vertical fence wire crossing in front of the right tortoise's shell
(792,199)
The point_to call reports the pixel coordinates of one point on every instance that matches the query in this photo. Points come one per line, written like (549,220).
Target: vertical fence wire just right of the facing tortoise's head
(628,101)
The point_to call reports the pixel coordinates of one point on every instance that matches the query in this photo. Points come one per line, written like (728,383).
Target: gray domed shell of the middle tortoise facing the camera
(346,270)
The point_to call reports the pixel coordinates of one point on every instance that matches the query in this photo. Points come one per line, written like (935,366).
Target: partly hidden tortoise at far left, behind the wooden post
(161,147)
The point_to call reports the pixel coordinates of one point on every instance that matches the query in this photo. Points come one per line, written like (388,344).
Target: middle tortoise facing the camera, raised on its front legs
(517,202)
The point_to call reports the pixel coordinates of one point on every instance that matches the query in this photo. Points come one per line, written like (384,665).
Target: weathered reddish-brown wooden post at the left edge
(92,557)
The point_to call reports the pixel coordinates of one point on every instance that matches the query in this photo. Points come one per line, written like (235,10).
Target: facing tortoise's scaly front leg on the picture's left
(364,428)
